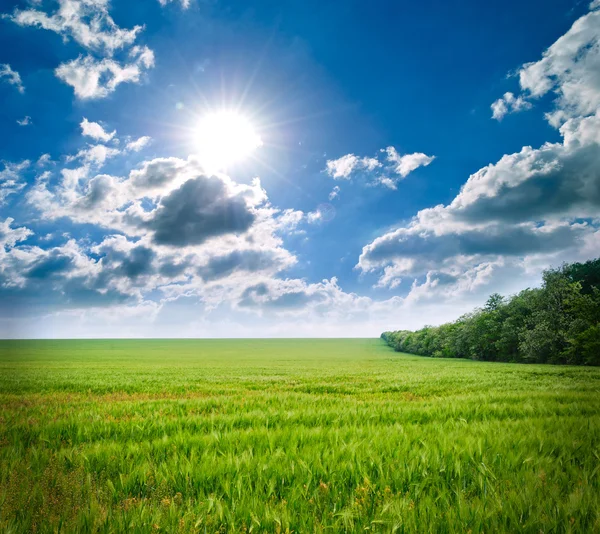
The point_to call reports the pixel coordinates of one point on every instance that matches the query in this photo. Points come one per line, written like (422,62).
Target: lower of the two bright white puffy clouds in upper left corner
(93,79)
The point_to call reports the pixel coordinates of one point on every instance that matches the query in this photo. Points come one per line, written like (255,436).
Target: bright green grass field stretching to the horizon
(291,435)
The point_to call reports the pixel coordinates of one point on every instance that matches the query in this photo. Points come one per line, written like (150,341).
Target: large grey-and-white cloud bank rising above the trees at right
(531,208)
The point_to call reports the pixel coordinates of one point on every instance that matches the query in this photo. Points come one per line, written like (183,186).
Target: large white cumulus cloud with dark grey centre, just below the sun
(181,230)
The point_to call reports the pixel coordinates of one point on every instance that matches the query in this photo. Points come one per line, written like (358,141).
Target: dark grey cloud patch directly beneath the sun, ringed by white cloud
(200,209)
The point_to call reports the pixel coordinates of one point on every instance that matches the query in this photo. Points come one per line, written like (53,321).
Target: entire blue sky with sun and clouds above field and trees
(200,168)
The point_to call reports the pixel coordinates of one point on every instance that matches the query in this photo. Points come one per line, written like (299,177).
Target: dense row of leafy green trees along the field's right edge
(557,323)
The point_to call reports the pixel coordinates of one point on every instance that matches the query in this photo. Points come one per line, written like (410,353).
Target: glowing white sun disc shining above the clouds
(224,138)
